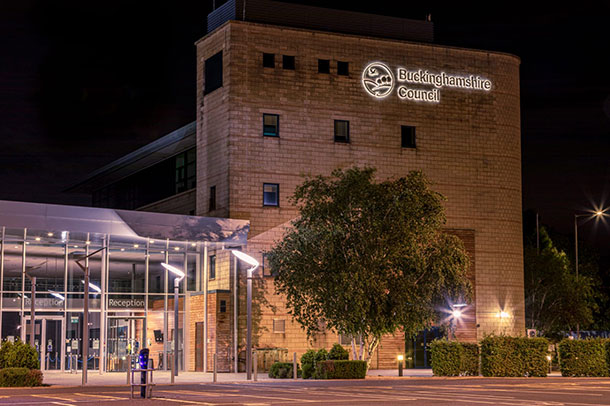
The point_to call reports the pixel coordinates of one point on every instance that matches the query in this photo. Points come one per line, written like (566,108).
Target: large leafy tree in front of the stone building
(367,259)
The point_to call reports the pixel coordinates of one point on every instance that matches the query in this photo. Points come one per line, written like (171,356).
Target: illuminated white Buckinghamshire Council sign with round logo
(378,80)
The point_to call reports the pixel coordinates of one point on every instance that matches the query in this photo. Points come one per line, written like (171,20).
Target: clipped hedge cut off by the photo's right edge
(584,357)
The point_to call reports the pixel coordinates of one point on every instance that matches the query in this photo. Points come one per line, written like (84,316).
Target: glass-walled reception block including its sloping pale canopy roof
(131,300)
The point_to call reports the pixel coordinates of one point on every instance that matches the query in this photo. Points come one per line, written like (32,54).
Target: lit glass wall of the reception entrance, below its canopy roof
(131,296)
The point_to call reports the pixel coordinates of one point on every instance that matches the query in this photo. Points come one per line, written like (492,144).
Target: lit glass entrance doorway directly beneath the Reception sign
(126,336)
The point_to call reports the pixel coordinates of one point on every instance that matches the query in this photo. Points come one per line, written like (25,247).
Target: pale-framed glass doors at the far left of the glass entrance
(47,339)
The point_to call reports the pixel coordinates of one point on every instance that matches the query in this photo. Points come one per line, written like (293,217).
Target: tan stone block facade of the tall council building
(468,144)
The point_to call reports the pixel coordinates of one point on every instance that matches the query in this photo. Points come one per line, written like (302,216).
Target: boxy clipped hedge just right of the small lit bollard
(452,358)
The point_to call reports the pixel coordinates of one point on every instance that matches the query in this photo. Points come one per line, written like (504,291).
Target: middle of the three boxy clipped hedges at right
(514,356)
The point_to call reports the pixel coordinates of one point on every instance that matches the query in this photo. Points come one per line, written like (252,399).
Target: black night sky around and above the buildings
(83,83)
